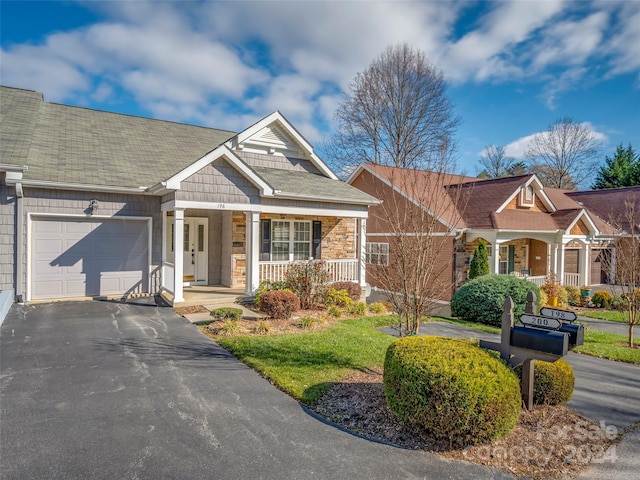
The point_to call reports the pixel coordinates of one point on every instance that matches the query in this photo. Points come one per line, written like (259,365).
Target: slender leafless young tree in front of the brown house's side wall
(421,231)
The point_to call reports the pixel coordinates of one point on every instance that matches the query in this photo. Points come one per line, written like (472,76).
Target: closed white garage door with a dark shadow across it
(77,258)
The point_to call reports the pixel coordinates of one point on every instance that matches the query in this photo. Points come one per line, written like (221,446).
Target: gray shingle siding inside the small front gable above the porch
(218,182)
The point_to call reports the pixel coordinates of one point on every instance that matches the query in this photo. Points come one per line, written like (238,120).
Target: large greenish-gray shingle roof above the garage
(67,144)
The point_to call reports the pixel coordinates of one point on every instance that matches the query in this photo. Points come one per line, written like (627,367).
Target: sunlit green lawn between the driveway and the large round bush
(305,365)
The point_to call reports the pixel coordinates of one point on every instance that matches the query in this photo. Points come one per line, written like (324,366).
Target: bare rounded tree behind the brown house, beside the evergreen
(565,154)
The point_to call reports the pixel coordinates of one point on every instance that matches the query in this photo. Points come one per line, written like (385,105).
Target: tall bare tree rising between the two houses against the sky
(396,112)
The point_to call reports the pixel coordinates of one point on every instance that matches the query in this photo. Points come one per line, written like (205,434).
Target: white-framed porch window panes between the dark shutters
(290,240)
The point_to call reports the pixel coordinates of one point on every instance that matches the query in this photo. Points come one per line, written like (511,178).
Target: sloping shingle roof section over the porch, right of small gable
(310,185)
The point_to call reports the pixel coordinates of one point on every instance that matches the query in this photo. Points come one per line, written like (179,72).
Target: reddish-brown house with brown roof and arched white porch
(530,230)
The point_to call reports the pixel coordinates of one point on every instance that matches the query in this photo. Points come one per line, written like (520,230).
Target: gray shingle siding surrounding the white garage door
(74,204)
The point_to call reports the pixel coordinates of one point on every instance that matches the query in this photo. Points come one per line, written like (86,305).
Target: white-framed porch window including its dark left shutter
(285,241)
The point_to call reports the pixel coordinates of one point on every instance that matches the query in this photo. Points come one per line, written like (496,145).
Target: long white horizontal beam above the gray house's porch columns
(249,207)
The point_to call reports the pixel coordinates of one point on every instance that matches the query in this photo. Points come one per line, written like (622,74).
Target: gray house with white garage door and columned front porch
(95,203)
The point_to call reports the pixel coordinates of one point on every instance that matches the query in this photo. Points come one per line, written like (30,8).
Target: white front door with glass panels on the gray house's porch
(196,233)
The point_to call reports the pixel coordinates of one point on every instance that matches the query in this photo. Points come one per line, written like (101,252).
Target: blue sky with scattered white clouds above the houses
(512,67)
